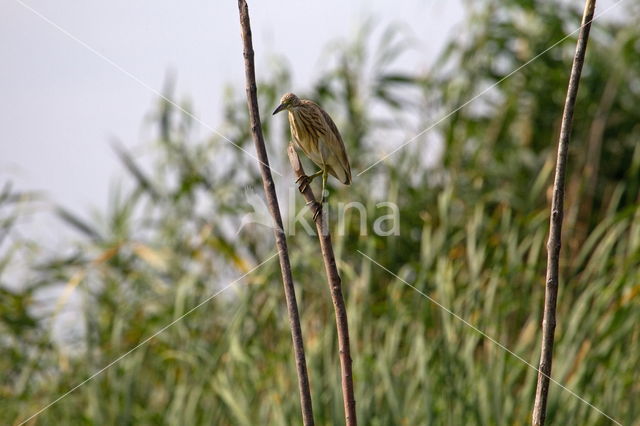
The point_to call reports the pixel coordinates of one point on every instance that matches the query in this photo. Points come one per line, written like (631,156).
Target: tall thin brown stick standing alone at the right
(555,222)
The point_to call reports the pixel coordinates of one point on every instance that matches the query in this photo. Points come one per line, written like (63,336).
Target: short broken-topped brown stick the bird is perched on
(335,288)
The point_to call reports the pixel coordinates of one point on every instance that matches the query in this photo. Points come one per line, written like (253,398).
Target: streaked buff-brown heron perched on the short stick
(315,133)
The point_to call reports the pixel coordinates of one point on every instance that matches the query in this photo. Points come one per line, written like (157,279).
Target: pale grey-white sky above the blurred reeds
(61,103)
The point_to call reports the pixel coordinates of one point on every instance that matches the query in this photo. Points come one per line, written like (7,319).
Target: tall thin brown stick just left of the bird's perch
(272,201)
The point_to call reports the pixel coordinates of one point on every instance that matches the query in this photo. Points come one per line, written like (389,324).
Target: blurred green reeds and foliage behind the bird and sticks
(473,197)
